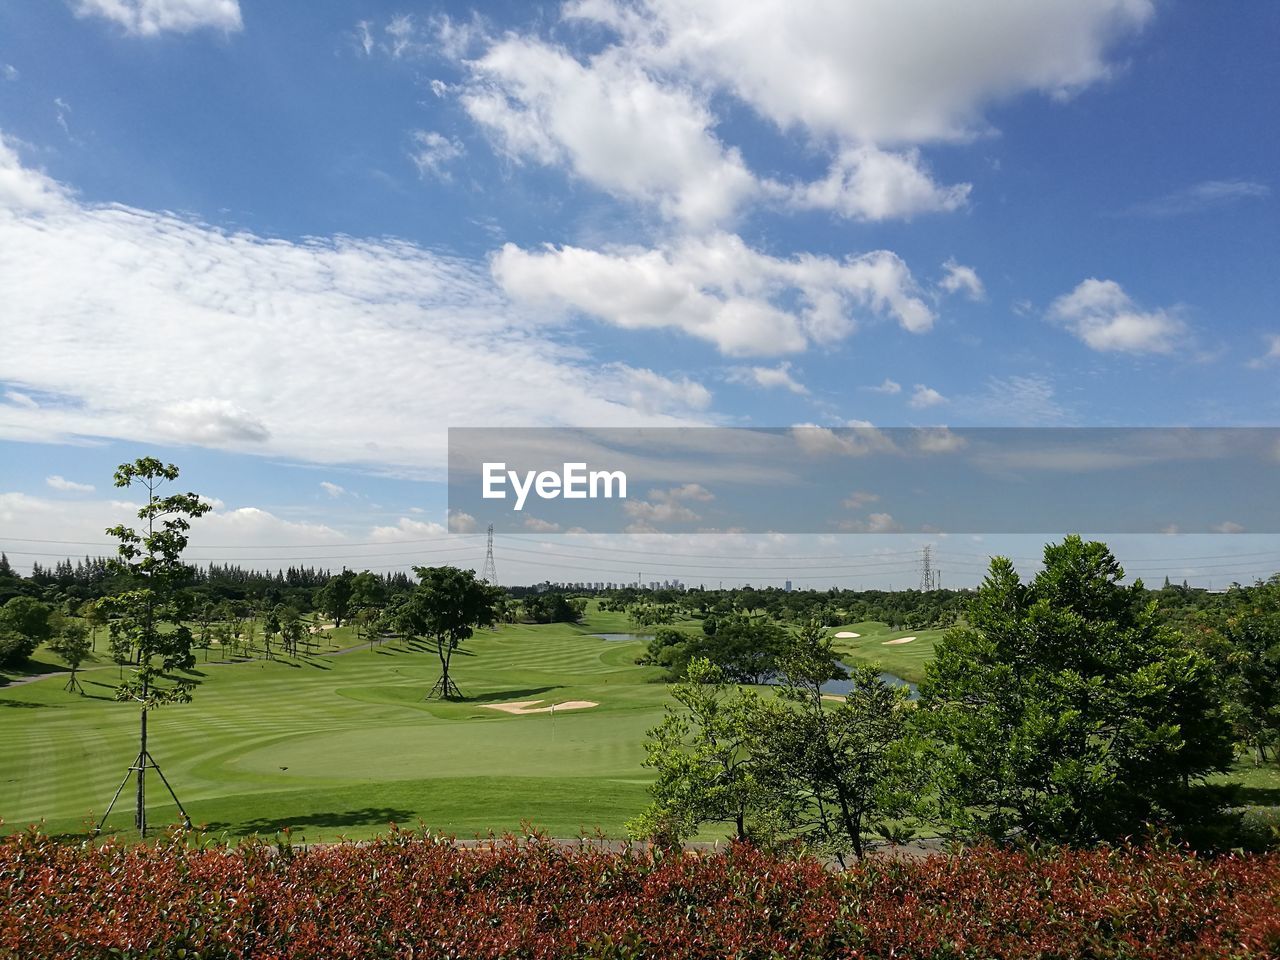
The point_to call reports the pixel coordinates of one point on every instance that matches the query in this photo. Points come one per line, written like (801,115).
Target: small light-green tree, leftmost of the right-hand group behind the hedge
(705,758)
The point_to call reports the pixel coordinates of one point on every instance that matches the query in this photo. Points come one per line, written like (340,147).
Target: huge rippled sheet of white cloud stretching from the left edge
(147,327)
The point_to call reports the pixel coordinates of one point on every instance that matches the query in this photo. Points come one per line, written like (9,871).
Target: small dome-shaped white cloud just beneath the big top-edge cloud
(866,184)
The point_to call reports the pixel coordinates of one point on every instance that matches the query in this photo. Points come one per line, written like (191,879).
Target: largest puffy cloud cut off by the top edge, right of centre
(877,71)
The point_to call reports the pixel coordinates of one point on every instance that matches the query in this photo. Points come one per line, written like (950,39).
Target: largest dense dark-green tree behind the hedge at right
(1066,711)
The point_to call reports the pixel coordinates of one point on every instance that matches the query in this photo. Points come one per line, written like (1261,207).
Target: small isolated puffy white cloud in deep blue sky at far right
(1108,321)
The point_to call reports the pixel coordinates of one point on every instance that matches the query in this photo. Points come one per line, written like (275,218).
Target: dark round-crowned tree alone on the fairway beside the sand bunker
(446,609)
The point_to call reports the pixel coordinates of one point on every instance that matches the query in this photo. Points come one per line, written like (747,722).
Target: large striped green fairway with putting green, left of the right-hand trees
(345,743)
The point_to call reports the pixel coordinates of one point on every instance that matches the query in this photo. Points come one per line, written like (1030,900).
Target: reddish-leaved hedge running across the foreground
(417,897)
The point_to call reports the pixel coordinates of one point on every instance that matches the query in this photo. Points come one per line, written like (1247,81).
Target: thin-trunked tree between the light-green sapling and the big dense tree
(836,770)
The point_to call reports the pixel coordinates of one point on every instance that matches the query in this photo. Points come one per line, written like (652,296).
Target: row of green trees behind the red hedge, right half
(1064,710)
